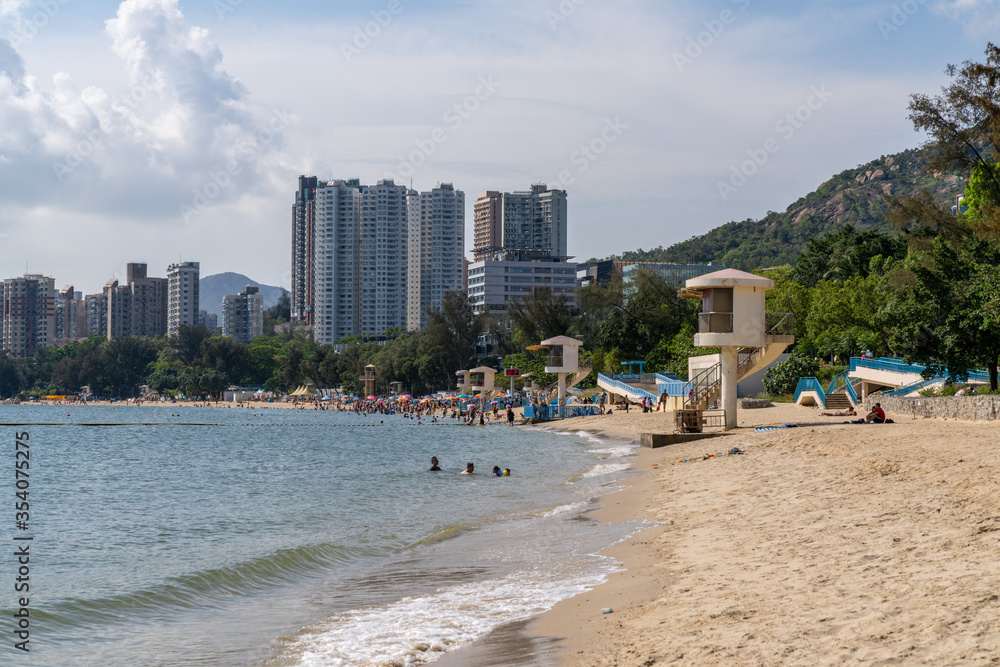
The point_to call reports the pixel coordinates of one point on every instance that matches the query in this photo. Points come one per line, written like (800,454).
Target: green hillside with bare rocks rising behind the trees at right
(855,196)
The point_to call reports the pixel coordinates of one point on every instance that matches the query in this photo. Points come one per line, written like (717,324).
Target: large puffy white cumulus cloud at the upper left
(182,127)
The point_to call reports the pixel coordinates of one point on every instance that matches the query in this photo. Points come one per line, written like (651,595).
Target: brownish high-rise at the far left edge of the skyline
(29,314)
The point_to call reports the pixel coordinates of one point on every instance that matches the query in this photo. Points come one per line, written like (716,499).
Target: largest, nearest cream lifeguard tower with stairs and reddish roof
(733,318)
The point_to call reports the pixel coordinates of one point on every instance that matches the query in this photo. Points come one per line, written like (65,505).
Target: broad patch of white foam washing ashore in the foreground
(417,630)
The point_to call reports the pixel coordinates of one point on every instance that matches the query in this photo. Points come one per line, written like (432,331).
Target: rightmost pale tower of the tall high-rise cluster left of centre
(436,253)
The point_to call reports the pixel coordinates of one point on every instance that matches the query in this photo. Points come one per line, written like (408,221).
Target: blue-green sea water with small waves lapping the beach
(214,536)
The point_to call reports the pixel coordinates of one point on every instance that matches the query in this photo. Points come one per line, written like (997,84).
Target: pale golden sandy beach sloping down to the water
(829,543)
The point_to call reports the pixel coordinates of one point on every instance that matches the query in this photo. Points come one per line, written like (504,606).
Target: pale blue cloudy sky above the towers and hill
(160,131)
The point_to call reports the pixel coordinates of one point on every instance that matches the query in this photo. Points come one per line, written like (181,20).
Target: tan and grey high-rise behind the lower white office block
(532,222)
